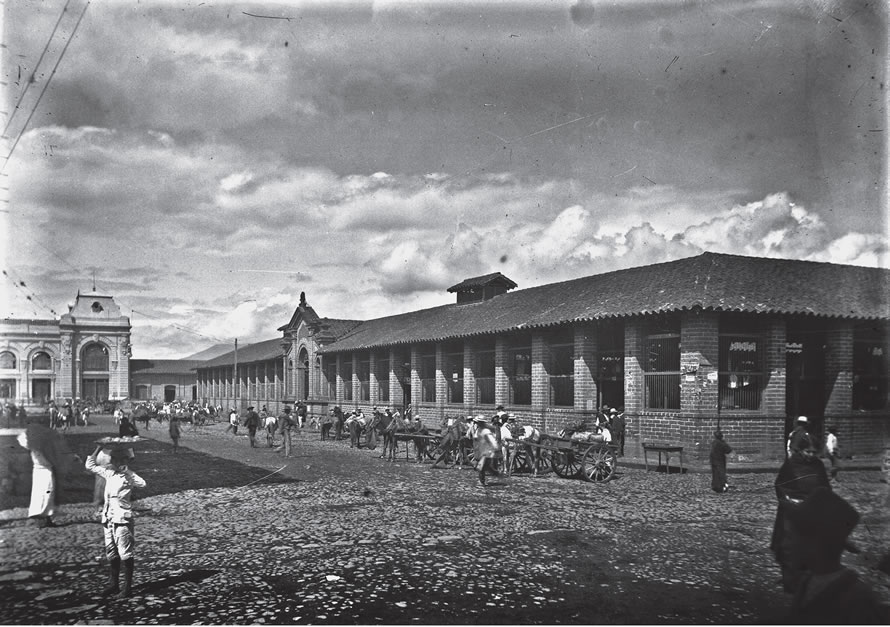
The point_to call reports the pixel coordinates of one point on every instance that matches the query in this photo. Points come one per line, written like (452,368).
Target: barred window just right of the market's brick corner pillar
(741,375)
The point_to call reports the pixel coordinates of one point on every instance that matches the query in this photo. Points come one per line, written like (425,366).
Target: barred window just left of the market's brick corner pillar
(661,375)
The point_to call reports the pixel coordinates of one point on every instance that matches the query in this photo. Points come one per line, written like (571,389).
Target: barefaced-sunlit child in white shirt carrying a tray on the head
(117,517)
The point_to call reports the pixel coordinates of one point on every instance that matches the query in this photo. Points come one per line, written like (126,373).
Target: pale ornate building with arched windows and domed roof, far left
(85,354)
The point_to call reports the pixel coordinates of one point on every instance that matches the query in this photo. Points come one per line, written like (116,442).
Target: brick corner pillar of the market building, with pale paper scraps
(699,349)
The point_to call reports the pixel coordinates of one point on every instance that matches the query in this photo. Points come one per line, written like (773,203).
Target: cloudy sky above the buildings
(206,162)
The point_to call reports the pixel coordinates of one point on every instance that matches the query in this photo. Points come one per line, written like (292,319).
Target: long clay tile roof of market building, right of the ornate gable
(710,281)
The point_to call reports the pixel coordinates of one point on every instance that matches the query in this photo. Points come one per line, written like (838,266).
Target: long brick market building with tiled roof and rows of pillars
(741,343)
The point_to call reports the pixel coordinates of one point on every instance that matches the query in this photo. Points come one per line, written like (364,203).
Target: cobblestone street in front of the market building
(340,536)
